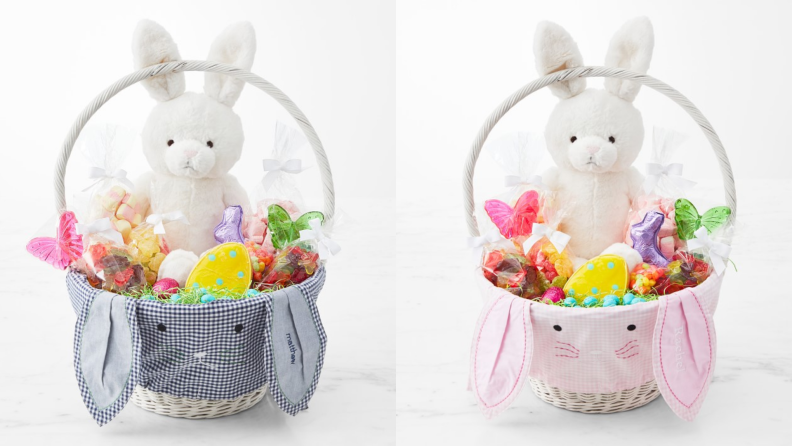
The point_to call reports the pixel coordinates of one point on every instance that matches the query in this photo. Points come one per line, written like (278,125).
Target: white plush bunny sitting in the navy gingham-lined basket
(191,140)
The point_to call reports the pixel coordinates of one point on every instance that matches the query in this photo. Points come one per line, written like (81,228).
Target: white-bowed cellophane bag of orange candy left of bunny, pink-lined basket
(554,264)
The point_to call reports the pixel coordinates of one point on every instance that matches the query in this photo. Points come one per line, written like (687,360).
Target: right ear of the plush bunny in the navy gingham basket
(236,45)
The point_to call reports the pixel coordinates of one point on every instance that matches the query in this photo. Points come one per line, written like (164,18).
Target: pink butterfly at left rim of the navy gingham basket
(61,251)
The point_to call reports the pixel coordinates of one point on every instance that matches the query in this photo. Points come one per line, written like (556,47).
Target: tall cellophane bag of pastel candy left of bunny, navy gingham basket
(110,196)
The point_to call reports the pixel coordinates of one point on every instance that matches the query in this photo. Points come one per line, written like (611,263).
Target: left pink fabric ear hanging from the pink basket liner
(501,352)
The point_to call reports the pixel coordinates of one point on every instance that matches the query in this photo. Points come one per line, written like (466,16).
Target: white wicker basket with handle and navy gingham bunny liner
(196,361)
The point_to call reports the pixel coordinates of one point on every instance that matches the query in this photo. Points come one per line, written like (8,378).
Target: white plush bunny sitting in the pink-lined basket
(594,136)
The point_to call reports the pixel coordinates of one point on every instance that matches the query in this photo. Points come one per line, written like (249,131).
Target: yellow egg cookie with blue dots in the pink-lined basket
(600,276)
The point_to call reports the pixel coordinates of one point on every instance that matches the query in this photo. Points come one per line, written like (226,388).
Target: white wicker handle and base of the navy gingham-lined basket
(162,403)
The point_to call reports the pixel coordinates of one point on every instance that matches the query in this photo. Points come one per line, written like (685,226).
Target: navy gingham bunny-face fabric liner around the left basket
(213,322)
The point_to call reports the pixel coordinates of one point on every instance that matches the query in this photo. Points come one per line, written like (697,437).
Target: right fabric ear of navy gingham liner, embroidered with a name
(298,344)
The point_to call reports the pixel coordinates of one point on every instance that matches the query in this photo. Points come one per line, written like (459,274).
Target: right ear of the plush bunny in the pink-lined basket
(630,48)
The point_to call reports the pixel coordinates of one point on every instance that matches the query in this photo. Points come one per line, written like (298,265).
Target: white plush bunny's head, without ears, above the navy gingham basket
(193,136)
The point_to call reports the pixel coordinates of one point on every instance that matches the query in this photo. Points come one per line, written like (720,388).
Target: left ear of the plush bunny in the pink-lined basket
(555,50)
